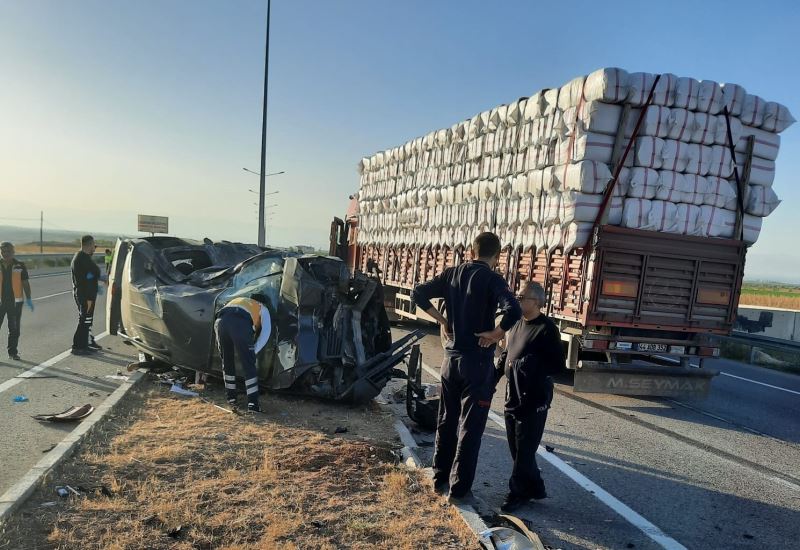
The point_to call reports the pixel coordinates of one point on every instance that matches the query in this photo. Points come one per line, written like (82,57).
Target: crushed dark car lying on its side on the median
(330,332)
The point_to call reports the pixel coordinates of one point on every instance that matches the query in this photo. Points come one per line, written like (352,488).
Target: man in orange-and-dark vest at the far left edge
(14,289)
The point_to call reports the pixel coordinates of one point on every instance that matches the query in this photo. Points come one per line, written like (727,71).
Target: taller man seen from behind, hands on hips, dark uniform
(472,293)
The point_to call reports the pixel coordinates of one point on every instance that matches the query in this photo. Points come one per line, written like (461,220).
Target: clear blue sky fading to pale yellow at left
(114,108)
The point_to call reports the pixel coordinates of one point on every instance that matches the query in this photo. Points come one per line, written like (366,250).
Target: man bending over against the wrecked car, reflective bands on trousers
(242,324)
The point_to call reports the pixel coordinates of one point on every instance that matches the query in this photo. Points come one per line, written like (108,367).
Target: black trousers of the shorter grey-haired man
(524,431)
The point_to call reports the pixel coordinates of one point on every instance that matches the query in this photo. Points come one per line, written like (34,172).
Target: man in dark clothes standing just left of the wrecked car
(85,287)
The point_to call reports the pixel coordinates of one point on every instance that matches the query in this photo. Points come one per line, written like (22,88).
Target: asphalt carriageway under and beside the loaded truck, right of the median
(722,472)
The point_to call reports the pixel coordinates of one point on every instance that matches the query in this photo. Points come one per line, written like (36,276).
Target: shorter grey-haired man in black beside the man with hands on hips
(533,353)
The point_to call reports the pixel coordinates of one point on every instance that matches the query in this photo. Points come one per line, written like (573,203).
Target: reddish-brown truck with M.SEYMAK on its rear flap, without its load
(640,312)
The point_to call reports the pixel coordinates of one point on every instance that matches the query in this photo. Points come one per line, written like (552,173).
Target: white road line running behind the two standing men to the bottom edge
(650,530)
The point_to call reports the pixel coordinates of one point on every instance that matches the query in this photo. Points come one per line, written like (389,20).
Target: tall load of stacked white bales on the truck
(535,170)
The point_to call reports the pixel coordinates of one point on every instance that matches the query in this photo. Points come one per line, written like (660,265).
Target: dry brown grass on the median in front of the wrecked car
(281,480)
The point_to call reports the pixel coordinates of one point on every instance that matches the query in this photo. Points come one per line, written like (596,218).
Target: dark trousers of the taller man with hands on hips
(467,388)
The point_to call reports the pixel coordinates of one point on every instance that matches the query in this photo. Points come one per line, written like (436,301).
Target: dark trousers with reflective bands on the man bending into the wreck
(234,330)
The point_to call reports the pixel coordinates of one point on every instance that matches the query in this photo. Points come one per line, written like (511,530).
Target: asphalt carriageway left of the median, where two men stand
(67,380)
